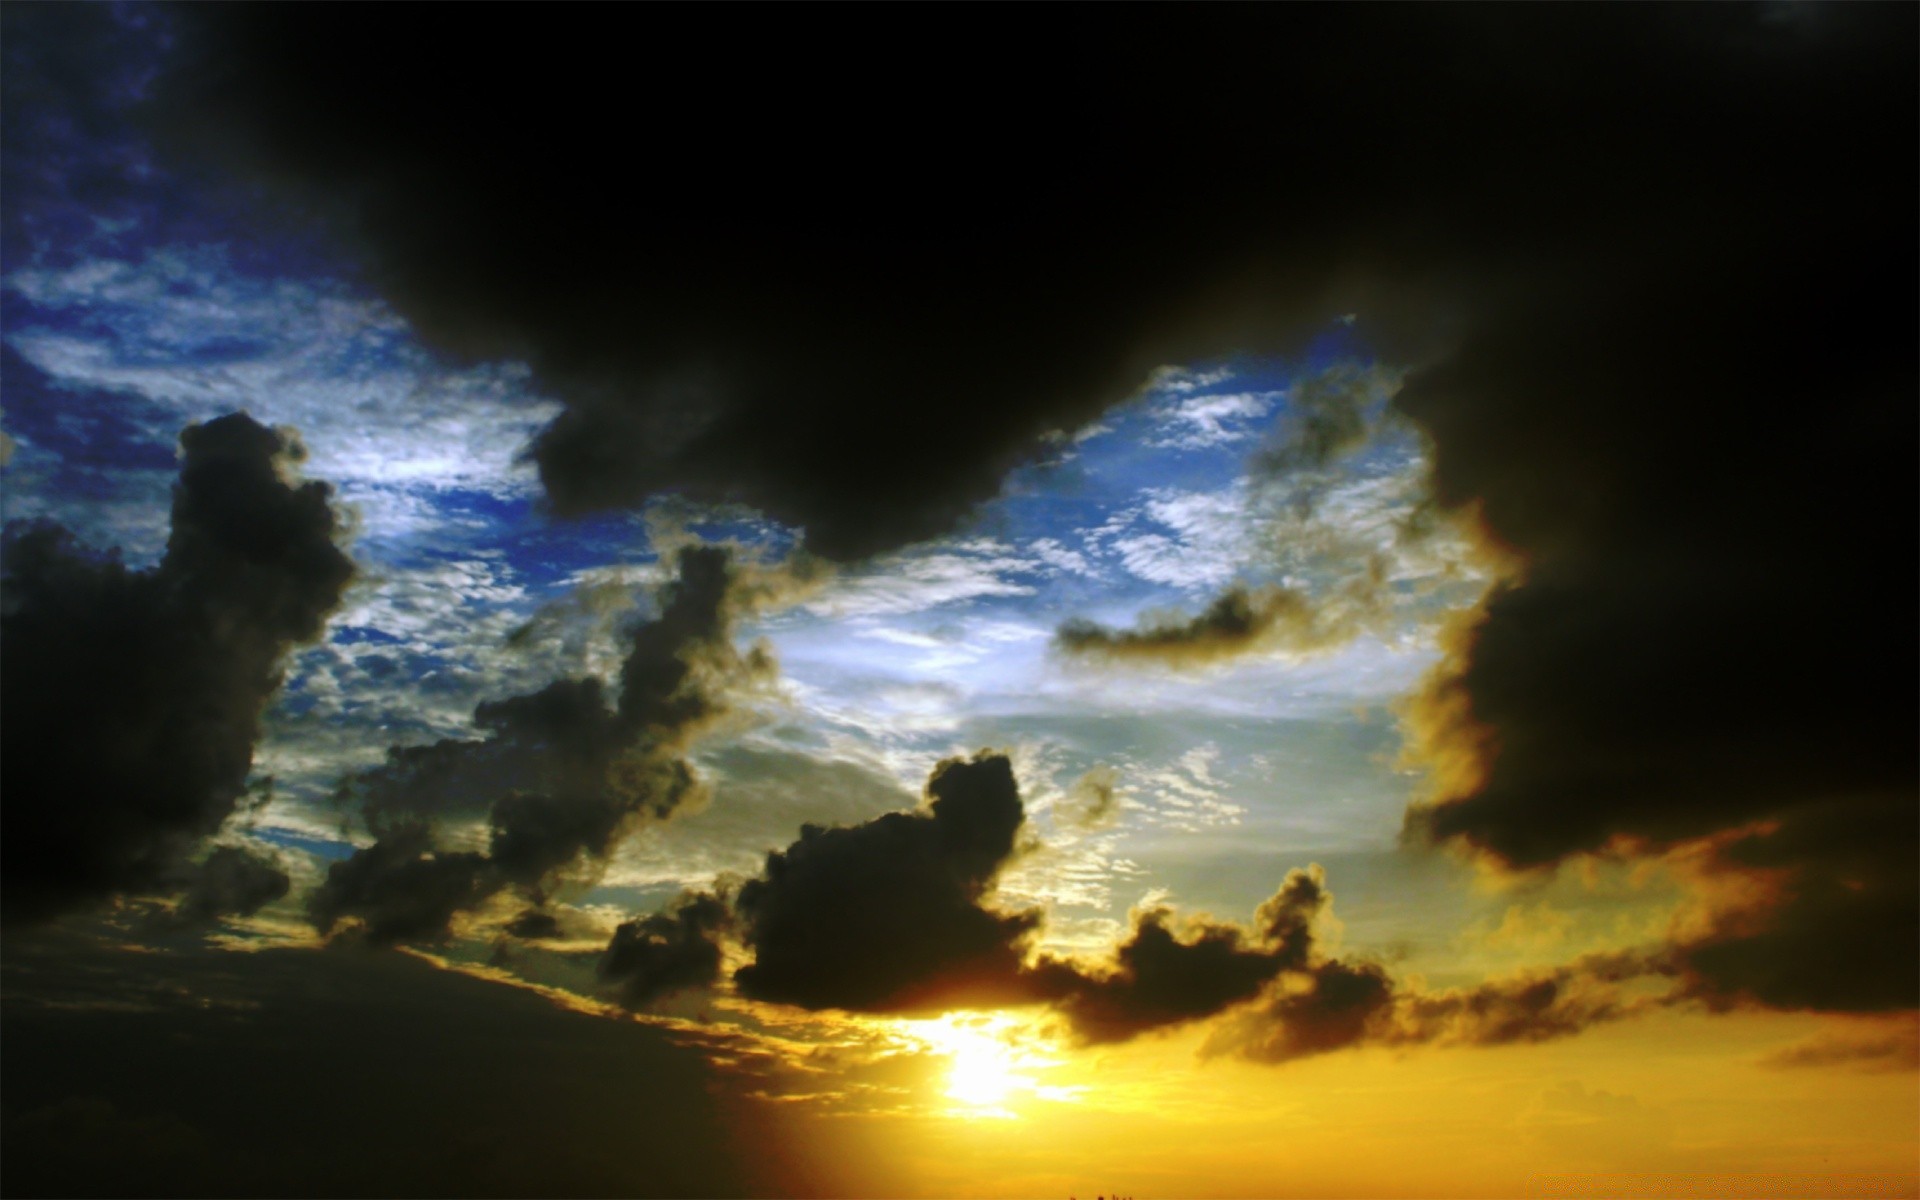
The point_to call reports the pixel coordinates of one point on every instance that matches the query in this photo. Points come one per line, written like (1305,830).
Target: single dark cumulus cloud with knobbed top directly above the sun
(886,917)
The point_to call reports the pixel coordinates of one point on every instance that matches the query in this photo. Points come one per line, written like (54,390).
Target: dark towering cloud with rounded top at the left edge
(133,698)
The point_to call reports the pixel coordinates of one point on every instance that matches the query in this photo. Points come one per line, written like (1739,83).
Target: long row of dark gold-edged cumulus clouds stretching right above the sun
(896,915)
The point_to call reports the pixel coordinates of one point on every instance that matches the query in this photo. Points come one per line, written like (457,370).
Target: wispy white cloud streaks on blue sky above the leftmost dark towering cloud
(383,421)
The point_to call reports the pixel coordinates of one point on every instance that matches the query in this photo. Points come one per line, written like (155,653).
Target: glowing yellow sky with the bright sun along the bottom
(1669,1105)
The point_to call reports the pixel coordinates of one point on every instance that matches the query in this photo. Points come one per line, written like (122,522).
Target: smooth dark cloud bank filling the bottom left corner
(199,1072)
